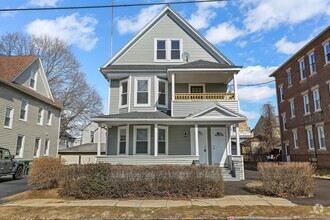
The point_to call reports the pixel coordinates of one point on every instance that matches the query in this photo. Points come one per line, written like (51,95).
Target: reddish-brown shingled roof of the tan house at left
(12,66)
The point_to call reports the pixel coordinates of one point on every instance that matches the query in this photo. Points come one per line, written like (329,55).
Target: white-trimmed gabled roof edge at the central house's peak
(181,21)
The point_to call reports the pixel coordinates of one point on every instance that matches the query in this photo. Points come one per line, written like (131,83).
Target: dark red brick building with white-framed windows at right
(303,97)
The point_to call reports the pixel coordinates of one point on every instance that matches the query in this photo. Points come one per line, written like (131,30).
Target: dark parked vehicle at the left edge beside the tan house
(9,166)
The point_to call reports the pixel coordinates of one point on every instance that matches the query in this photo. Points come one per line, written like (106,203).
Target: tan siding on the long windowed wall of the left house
(30,129)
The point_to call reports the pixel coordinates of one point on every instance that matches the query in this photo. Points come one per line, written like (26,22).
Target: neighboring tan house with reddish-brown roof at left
(29,115)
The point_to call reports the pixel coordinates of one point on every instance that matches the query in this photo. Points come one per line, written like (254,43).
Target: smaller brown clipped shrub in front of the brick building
(287,179)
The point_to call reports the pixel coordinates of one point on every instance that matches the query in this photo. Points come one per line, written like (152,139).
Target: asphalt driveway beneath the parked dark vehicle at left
(9,187)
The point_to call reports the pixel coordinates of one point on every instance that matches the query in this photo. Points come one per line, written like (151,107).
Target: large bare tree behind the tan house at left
(66,82)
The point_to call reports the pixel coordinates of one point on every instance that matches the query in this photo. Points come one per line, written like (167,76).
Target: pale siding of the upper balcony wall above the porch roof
(185,108)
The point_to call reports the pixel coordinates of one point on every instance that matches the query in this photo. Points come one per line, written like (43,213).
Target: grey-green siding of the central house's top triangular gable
(143,50)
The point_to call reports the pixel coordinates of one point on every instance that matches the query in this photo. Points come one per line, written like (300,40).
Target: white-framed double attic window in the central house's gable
(168,50)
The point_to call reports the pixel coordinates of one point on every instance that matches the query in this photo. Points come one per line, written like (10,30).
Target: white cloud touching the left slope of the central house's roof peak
(135,23)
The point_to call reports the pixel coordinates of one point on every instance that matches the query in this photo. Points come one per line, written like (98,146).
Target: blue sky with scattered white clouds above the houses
(259,35)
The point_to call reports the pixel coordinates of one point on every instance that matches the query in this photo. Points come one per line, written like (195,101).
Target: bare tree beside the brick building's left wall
(269,133)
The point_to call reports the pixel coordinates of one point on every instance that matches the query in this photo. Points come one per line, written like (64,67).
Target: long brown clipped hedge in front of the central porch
(95,181)
